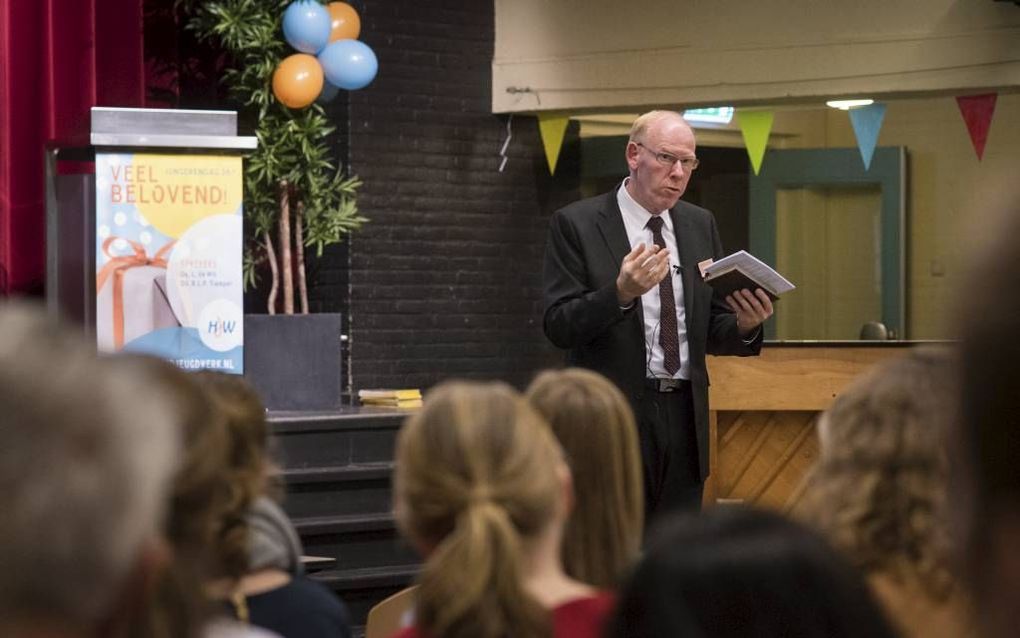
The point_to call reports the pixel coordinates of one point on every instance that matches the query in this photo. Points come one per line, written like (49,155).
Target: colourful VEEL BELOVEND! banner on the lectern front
(169,258)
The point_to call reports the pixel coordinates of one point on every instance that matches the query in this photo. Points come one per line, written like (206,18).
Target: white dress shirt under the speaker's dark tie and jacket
(636,221)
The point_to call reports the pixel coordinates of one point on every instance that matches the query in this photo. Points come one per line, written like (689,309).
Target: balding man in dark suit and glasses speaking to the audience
(625,296)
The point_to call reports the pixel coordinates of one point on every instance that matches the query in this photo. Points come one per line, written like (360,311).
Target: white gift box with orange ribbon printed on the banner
(132,299)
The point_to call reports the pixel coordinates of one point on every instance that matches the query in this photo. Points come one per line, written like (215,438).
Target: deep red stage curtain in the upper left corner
(58,60)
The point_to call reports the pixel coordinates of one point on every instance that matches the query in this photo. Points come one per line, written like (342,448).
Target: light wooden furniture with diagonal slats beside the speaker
(764,411)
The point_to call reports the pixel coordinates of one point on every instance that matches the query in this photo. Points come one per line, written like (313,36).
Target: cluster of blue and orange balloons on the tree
(332,58)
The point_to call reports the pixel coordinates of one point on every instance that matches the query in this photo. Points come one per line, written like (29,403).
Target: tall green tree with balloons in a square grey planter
(297,195)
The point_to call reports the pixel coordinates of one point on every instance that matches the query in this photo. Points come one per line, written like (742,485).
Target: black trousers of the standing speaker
(670,453)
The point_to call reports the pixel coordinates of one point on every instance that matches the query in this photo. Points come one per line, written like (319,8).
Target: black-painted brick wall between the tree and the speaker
(446,279)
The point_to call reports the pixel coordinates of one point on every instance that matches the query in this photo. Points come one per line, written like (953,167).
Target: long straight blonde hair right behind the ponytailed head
(596,428)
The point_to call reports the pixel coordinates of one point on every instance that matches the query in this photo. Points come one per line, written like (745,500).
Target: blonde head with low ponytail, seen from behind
(479,478)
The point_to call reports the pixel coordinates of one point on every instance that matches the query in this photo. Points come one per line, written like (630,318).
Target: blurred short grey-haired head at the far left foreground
(87,453)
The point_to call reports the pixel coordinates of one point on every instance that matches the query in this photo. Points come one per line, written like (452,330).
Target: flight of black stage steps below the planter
(338,468)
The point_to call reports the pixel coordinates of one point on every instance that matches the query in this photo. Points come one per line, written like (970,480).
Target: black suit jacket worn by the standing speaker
(587,244)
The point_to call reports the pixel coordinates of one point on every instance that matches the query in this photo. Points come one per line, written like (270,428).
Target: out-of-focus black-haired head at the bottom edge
(736,572)
